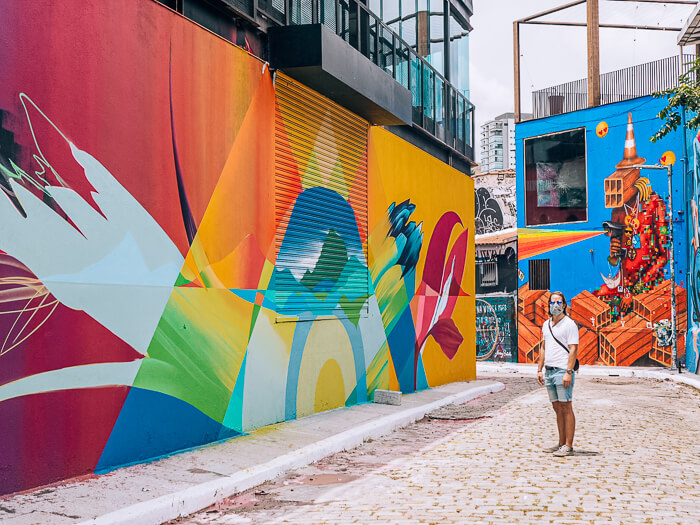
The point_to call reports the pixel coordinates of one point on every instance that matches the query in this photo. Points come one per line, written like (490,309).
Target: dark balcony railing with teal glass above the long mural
(438,107)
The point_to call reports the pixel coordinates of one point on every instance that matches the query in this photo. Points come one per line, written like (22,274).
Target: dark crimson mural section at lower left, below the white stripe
(41,434)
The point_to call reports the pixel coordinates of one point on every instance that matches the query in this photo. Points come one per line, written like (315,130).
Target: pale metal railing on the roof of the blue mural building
(616,86)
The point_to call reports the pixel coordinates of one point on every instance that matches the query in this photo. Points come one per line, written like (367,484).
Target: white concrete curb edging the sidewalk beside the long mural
(198,497)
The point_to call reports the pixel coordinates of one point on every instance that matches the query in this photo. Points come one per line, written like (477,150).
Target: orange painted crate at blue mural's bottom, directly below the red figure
(625,341)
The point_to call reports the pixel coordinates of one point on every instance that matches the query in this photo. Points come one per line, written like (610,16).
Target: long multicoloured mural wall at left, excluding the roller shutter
(138,311)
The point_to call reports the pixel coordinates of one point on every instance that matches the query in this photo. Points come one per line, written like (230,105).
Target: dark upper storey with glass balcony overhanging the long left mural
(419,83)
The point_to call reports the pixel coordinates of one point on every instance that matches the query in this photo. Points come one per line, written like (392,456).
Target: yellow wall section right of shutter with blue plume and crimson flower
(421,251)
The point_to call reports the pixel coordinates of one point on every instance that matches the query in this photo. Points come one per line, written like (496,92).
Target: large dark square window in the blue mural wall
(555,178)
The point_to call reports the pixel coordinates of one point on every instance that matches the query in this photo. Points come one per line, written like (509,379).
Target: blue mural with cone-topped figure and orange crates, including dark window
(596,226)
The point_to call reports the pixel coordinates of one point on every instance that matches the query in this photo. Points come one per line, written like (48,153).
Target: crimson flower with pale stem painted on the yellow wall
(441,288)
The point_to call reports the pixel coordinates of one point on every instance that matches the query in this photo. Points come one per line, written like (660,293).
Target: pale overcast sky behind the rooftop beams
(555,55)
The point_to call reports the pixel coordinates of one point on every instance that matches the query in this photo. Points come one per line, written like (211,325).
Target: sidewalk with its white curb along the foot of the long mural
(183,483)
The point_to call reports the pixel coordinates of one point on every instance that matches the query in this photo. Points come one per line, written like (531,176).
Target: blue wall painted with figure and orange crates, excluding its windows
(617,325)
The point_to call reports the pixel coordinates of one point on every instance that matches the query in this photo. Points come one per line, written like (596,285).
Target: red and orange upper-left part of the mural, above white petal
(102,102)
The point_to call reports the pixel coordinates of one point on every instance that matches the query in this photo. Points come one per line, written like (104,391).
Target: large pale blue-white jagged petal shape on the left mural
(119,268)
